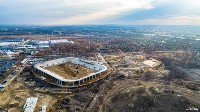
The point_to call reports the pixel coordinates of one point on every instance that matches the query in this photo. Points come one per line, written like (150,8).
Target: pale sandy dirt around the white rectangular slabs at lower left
(12,99)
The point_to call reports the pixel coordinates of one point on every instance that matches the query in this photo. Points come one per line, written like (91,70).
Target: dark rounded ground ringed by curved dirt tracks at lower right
(134,96)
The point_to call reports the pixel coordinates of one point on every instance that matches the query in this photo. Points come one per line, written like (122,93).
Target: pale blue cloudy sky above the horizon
(70,12)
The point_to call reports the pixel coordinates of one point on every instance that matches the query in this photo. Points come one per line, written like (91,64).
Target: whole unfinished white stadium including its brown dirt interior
(70,71)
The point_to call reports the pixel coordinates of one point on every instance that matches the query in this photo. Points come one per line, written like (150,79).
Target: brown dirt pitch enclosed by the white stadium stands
(70,70)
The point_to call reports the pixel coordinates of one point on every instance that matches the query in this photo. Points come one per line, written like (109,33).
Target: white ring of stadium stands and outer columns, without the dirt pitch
(64,82)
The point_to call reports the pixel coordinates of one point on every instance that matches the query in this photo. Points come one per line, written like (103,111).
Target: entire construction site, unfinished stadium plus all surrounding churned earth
(70,78)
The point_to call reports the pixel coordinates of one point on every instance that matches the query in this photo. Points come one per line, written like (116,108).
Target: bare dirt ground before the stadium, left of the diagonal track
(57,99)
